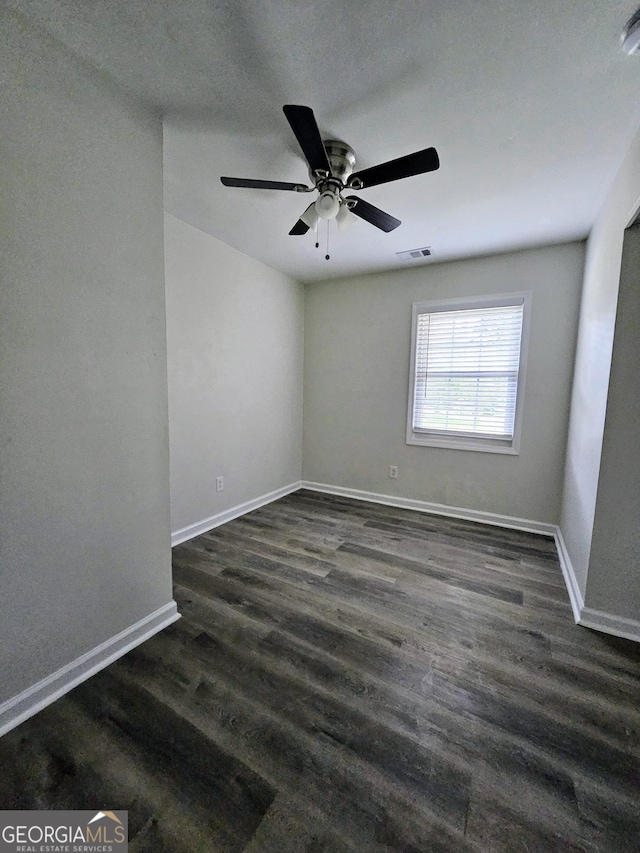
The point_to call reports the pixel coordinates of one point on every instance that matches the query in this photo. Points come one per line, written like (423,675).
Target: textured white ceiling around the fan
(531,106)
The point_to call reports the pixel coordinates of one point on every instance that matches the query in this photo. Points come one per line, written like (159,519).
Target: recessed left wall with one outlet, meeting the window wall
(235,354)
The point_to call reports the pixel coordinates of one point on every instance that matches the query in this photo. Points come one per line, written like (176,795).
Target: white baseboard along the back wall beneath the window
(435,509)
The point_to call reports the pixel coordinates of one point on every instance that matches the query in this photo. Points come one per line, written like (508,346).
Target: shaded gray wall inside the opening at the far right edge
(613,583)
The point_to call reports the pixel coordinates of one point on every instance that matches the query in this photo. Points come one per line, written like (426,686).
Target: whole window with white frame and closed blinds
(467,372)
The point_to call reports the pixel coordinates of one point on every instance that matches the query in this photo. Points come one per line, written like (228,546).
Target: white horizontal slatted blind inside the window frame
(466,371)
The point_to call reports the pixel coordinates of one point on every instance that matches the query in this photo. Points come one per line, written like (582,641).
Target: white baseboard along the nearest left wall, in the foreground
(18,709)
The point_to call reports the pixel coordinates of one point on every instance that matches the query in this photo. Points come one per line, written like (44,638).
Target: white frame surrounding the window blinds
(470,442)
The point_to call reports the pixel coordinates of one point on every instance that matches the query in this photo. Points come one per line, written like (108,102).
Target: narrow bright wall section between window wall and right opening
(593,360)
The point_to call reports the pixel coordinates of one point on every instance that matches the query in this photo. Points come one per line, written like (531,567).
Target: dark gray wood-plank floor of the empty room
(352,677)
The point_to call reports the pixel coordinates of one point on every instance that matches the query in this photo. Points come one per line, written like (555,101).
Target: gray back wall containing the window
(357,340)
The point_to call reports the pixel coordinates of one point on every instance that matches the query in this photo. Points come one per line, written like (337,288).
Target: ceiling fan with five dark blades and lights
(331,166)
